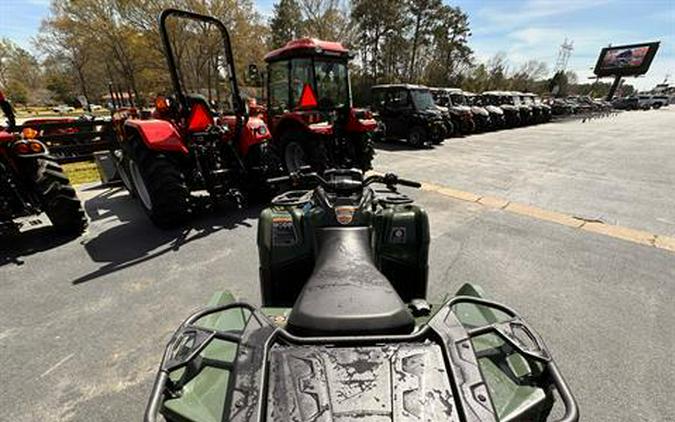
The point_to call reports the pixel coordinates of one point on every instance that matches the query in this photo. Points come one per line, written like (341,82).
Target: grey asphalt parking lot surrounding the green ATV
(83,321)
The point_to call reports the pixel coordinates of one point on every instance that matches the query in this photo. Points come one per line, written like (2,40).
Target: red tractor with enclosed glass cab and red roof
(309,108)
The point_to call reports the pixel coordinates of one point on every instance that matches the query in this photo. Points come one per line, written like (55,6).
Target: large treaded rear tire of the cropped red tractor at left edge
(59,199)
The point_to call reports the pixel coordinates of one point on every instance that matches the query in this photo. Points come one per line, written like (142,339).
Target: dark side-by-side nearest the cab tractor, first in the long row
(409,112)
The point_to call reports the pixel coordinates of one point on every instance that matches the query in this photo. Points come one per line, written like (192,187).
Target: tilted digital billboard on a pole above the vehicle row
(626,60)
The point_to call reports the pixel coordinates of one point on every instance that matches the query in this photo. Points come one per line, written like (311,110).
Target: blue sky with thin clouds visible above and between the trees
(524,29)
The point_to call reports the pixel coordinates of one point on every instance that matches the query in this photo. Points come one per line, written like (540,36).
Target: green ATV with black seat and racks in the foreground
(359,342)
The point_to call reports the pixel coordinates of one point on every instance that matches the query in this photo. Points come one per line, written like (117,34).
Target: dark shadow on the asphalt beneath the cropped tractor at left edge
(13,247)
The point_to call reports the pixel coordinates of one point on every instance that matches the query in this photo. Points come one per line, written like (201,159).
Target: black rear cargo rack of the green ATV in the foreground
(261,341)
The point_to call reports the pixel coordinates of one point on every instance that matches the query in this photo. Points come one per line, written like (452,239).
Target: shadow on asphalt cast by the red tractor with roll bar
(133,239)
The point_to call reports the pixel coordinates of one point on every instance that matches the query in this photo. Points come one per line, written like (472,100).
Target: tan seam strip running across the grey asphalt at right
(598,227)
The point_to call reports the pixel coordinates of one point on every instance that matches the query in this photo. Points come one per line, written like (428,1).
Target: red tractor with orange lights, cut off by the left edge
(32,182)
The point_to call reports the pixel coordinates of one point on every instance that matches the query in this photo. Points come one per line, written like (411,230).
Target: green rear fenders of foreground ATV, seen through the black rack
(204,397)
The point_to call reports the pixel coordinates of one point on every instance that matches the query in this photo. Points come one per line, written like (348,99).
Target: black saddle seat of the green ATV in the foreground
(346,294)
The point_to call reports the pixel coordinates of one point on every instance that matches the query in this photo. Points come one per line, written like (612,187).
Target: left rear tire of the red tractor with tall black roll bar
(160,186)
